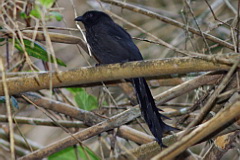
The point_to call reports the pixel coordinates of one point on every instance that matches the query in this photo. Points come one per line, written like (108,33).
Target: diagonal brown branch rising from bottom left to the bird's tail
(106,125)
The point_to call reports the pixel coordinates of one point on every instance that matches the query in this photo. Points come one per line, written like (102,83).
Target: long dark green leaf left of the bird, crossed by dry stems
(37,51)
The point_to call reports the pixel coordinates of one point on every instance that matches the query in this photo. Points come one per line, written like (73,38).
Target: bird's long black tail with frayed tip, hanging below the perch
(149,110)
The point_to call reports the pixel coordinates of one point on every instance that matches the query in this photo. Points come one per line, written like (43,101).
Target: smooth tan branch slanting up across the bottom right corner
(222,118)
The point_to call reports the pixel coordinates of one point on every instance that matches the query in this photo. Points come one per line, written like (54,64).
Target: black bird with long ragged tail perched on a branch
(109,44)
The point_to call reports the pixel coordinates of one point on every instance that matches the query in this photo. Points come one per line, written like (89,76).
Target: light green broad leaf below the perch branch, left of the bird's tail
(83,99)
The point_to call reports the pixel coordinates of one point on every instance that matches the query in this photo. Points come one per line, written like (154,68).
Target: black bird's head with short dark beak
(91,18)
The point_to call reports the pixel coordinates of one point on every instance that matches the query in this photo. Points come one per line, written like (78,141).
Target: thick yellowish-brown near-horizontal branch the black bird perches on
(88,75)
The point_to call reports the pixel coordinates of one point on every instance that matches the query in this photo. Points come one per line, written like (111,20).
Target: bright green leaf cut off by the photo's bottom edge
(69,154)
